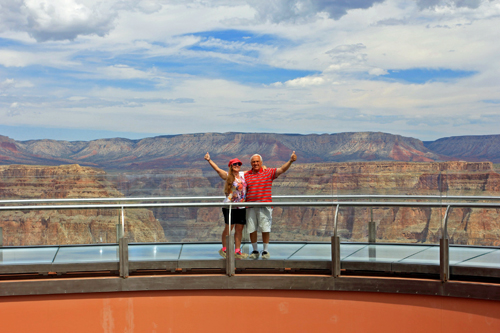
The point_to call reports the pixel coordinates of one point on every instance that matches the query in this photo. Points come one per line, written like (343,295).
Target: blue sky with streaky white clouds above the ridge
(87,69)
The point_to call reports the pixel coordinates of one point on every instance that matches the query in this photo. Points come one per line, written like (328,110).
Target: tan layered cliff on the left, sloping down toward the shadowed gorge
(48,227)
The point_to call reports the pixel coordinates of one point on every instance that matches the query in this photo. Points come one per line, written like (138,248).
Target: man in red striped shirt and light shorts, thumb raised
(259,184)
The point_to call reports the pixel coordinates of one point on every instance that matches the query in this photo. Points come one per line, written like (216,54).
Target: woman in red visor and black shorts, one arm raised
(235,189)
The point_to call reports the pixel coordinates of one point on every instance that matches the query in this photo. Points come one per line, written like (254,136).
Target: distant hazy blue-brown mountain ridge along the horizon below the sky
(187,150)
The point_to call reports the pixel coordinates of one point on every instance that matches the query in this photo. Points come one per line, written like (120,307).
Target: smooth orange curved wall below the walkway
(246,311)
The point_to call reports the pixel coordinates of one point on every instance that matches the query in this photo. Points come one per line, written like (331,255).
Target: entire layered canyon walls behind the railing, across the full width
(393,224)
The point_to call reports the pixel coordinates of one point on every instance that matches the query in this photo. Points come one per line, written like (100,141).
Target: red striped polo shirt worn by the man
(259,185)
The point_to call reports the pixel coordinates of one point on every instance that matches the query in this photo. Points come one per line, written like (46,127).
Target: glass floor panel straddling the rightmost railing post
(457,254)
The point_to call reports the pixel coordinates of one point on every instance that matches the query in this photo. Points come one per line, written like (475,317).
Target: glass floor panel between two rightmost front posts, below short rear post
(384,253)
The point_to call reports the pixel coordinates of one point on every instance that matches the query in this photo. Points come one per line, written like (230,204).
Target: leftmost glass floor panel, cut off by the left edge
(27,256)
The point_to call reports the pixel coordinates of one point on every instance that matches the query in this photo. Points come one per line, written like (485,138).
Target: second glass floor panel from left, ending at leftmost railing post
(87,254)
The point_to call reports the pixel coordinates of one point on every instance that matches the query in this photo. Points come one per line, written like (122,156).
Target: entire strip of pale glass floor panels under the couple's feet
(350,252)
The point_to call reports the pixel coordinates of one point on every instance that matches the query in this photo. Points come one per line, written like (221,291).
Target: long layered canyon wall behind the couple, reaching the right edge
(406,225)
